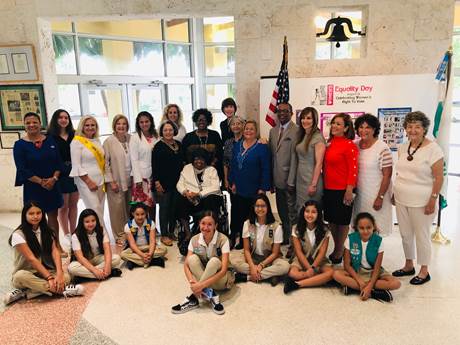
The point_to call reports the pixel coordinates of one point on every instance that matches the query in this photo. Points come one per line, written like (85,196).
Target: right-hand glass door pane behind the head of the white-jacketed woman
(146,97)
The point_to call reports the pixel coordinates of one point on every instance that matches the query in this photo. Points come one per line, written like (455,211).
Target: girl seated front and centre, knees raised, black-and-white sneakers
(206,266)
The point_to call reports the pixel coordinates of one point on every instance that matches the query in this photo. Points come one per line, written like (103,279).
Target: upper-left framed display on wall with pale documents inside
(17,63)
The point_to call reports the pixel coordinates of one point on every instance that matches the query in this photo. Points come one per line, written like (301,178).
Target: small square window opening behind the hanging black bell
(351,49)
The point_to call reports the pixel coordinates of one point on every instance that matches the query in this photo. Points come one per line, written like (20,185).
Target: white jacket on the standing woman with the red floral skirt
(141,157)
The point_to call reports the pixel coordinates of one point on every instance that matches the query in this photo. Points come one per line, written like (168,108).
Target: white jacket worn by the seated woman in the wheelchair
(189,182)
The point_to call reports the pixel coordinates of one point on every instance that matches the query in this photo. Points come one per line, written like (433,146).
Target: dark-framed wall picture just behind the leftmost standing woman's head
(16,101)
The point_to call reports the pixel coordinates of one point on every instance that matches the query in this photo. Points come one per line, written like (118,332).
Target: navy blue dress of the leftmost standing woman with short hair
(42,162)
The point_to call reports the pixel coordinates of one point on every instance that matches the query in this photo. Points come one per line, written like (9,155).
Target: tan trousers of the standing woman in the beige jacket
(118,210)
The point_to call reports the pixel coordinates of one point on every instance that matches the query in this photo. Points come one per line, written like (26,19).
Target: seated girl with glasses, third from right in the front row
(262,237)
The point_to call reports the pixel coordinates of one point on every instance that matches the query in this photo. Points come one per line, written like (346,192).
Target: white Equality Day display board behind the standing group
(389,97)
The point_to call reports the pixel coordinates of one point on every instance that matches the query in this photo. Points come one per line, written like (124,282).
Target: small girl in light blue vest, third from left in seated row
(142,248)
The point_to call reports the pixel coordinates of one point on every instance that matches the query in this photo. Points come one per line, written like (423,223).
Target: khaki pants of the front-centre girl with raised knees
(201,273)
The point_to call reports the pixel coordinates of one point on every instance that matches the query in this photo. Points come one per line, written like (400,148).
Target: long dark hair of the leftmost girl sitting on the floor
(47,235)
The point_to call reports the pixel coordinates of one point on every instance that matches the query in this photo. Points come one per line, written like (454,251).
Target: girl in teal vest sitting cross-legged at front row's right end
(363,258)
